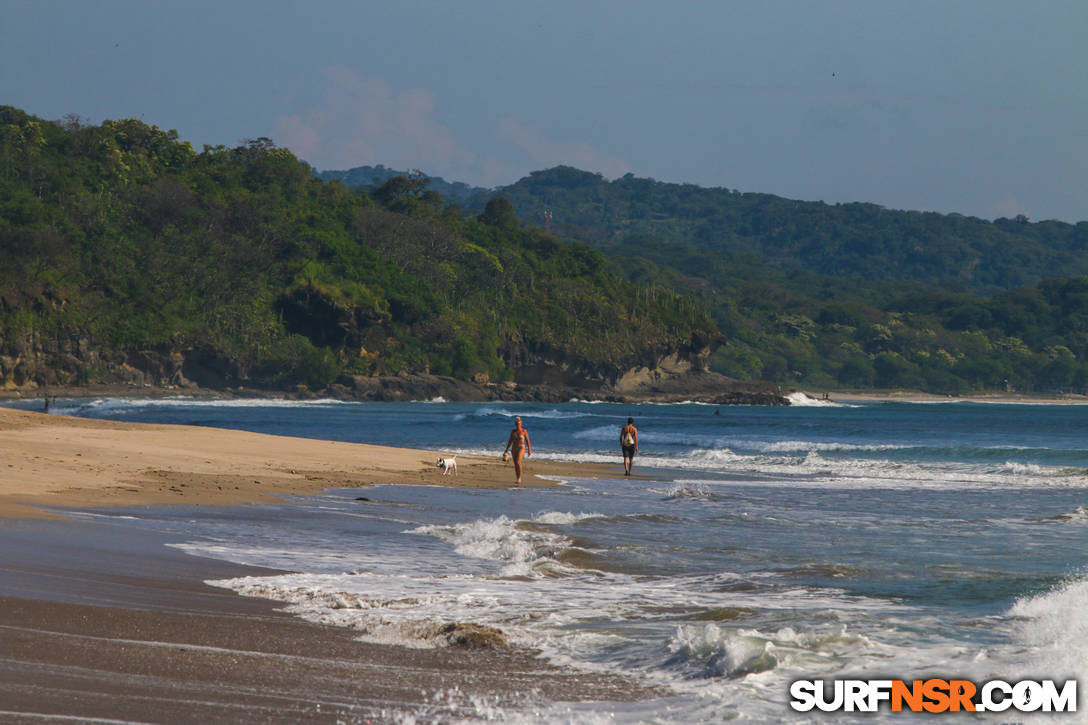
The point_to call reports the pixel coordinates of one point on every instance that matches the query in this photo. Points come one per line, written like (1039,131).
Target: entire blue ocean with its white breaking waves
(757,546)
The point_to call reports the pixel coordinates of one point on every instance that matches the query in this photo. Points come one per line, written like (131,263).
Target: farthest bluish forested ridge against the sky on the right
(636,217)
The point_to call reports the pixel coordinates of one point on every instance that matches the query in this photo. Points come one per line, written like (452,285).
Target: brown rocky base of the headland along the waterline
(40,365)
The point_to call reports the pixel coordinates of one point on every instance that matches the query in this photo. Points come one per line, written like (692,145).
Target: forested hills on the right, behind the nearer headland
(846,296)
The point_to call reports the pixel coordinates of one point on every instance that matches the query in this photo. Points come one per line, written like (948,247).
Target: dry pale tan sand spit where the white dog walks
(58,461)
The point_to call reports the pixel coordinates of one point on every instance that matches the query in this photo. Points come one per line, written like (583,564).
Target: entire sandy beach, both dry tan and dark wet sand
(100,623)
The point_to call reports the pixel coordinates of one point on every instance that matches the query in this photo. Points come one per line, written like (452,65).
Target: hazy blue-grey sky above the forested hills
(978,107)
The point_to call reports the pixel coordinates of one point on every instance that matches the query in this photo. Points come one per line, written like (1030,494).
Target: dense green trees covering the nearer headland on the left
(123,236)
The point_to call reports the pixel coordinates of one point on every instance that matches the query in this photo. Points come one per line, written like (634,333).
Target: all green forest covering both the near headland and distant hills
(125,238)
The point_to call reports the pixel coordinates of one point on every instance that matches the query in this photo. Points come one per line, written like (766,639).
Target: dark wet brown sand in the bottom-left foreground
(100,621)
